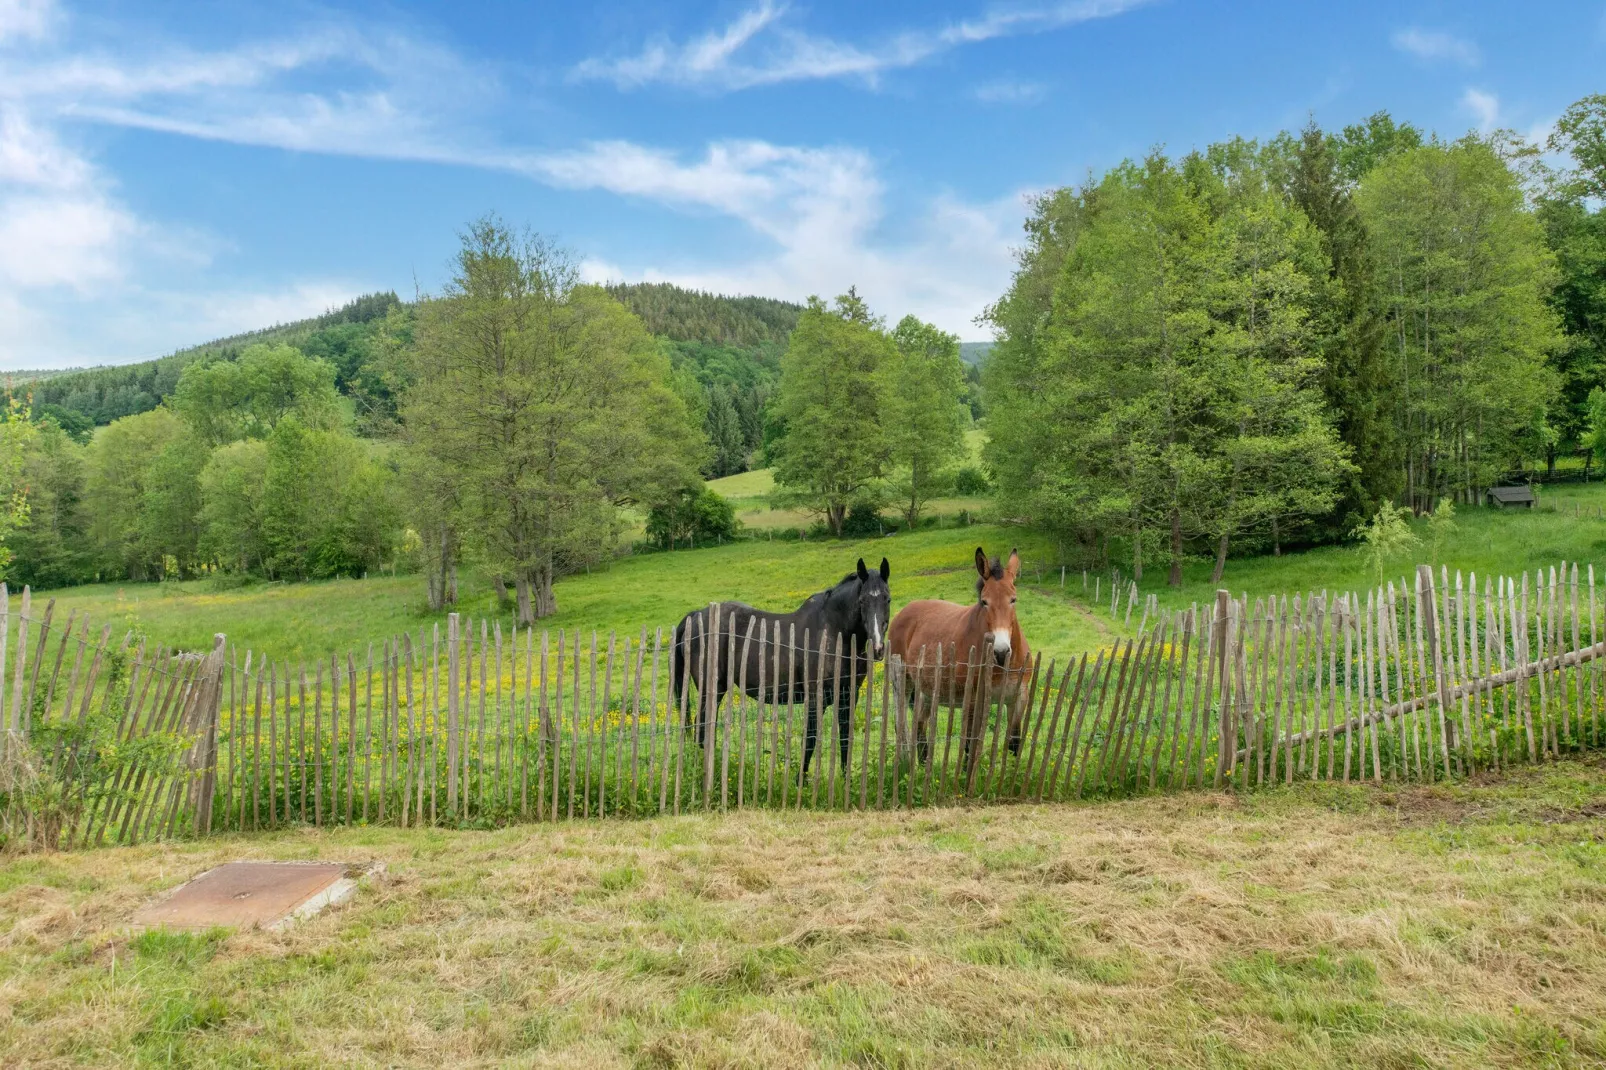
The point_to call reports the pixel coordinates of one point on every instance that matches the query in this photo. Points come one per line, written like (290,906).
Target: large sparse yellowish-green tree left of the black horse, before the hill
(548,402)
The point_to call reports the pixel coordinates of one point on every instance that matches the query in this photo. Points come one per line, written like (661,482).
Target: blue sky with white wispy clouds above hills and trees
(176,173)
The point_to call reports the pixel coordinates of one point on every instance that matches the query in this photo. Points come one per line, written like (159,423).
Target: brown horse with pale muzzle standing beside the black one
(937,643)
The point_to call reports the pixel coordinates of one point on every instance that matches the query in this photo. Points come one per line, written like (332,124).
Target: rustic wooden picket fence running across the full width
(112,740)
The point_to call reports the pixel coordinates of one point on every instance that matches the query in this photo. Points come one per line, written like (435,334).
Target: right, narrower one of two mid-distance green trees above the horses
(924,422)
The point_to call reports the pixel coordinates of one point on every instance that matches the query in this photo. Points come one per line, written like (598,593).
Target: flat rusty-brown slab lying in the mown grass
(247,896)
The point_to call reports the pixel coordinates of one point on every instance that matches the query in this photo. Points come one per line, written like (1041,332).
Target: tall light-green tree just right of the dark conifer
(1464,277)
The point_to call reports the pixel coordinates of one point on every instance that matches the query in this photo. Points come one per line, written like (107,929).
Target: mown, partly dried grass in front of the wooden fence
(1311,926)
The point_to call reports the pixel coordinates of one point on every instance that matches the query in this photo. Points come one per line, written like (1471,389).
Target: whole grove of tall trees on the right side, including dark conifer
(1262,345)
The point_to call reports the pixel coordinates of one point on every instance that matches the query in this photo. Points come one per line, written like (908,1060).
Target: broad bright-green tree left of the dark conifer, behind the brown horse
(1172,391)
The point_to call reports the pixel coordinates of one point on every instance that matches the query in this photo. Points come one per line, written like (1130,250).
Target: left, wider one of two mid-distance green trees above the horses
(834,446)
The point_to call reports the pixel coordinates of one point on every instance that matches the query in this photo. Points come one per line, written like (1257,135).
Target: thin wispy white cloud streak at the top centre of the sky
(762,49)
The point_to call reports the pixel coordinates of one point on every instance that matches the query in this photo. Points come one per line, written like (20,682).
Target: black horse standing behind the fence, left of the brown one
(854,613)
